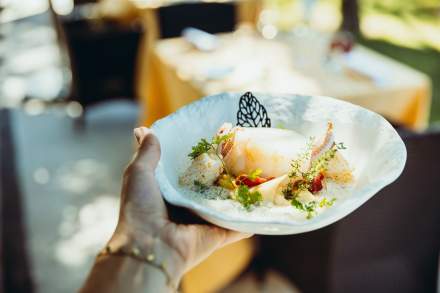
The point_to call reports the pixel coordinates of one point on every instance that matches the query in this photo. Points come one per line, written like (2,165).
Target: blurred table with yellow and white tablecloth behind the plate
(177,74)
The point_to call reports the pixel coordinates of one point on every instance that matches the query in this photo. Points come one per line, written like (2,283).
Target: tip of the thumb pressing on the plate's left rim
(148,153)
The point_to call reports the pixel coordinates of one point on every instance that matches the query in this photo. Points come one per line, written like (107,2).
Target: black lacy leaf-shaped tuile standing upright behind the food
(251,113)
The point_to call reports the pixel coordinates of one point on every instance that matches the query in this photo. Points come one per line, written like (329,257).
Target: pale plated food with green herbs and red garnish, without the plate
(255,166)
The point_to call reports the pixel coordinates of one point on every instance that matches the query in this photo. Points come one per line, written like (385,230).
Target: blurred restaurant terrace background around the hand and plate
(77,75)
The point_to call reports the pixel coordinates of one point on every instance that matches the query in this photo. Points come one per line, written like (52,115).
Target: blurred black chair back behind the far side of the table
(210,17)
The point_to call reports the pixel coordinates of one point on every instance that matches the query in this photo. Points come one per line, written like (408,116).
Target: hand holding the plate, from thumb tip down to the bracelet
(144,221)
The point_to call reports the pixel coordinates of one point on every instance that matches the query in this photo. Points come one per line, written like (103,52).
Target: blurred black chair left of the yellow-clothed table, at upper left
(102,56)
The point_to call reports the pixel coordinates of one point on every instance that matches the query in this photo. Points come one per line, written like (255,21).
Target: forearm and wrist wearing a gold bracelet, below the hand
(135,262)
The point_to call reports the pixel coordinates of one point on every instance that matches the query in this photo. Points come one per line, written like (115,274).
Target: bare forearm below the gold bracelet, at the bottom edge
(114,273)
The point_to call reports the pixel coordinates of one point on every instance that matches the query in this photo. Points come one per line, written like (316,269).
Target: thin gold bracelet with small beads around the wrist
(135,252)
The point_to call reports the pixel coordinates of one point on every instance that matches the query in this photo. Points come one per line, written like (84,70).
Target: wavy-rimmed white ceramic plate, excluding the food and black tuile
(374,150)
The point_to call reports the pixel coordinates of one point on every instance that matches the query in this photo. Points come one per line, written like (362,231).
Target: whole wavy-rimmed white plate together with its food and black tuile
(285,164)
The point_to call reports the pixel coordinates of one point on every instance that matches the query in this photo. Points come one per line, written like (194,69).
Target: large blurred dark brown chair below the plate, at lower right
(390,244)
